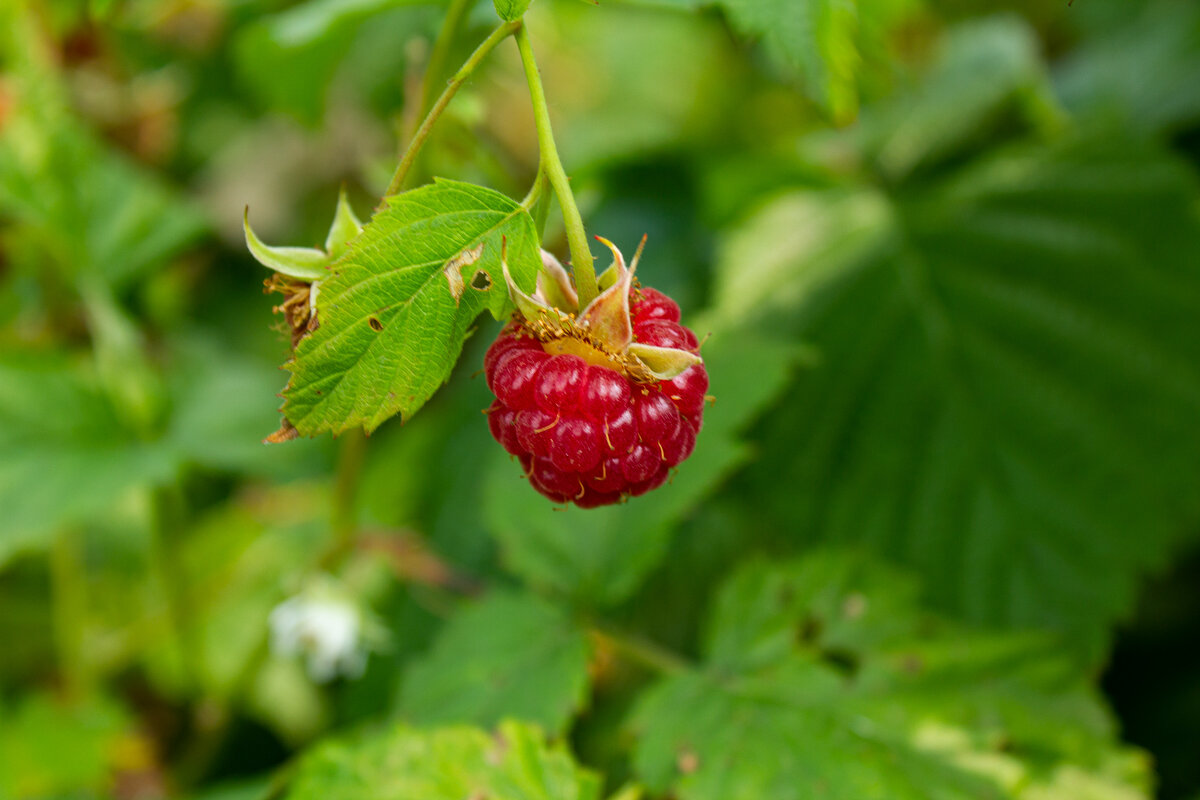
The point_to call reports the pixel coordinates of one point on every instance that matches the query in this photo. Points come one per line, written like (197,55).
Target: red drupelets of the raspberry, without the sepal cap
(587,434)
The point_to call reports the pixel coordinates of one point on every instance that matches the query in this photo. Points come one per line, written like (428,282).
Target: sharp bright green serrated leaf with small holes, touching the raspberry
(391,329)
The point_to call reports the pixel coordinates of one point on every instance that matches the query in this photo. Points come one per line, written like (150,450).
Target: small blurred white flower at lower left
(326,629)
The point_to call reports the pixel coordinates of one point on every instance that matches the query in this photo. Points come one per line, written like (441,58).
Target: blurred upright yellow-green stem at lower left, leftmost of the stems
(70,609)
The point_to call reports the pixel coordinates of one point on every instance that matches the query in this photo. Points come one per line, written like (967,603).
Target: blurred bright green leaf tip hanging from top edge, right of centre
(813,39)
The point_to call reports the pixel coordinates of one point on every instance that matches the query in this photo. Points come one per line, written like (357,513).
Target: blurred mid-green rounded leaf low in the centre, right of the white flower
(506,657)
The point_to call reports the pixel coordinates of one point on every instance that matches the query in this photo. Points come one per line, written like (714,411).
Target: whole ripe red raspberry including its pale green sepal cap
(599,407)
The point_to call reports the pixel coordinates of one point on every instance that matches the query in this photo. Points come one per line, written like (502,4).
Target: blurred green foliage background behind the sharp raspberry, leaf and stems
(947,256)
